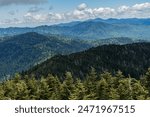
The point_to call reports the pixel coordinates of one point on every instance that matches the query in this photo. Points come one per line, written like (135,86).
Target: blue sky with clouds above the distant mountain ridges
(30,13)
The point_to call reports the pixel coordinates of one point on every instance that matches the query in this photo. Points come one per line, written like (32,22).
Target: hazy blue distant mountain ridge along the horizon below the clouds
(92,29)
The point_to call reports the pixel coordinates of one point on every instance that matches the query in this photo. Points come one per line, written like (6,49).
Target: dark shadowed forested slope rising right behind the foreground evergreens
(133,59)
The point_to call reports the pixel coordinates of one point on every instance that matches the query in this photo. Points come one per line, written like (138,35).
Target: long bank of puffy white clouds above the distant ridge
(83,12)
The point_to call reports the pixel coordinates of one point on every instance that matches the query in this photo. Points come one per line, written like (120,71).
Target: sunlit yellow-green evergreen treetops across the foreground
(95,86)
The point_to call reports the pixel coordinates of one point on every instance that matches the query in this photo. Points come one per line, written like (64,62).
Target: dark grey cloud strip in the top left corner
(9,2)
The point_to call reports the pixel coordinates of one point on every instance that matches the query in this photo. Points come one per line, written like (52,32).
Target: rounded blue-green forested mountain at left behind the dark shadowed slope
(23,51)
